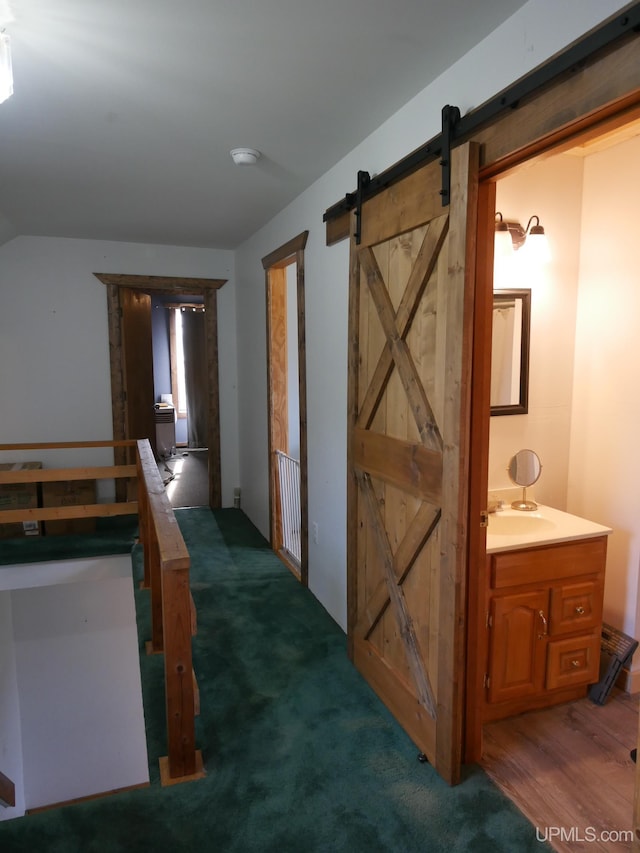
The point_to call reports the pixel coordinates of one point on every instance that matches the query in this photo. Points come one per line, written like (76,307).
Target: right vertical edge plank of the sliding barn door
(456,376)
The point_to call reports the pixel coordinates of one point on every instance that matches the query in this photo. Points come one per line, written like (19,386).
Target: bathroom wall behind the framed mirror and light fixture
(552,190)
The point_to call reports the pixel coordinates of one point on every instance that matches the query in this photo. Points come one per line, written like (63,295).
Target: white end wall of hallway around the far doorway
(55,381)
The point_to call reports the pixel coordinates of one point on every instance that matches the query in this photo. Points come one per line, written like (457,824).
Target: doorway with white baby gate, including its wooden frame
(287,408)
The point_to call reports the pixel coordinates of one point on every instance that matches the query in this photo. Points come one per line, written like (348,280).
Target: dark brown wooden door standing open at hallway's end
(138,364)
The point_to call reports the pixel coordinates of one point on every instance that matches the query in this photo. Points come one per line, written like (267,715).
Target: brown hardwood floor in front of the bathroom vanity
(569,771)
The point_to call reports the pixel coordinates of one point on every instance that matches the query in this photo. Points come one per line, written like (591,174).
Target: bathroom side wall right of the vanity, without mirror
(605,465)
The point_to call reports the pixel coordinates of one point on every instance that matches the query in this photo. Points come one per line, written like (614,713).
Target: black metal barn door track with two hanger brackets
(457,129)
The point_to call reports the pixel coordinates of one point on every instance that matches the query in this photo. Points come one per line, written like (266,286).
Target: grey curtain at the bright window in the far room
(195,375)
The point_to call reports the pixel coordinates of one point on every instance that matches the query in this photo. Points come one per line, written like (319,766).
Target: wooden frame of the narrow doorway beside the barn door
(274,265)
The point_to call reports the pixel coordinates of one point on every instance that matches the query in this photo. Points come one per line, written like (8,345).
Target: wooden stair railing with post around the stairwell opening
(166,574)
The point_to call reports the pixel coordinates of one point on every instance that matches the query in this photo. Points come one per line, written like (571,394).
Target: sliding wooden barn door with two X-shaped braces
(410,363)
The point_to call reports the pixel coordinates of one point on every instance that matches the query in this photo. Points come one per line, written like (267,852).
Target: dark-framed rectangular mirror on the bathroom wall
(510,352)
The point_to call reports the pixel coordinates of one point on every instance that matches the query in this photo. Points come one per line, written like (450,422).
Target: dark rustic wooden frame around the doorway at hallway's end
(176,286)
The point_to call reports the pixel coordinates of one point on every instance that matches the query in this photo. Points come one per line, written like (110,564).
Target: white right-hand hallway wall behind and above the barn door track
(532,35)
